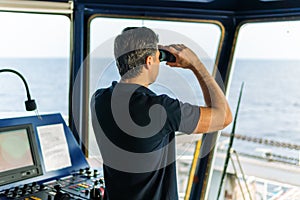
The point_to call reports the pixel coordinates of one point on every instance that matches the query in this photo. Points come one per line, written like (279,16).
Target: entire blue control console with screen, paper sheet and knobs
(40,159)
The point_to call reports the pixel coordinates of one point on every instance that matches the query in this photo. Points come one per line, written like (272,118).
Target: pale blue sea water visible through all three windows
(269,109)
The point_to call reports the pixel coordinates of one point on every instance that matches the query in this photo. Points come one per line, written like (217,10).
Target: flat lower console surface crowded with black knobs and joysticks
(84,184)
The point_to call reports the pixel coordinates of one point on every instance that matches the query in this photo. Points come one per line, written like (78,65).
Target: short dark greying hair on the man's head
(132,47)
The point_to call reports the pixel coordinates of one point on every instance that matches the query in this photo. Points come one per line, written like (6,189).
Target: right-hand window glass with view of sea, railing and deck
(267,138)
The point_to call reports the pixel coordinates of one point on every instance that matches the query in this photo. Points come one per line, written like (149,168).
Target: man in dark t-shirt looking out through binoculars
(135,128)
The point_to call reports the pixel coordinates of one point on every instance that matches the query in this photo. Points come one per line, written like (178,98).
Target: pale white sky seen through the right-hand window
(276,40)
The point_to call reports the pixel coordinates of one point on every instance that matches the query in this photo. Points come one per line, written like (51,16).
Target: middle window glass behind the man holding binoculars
(202,37)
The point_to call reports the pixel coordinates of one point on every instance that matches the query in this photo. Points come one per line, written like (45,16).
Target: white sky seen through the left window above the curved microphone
(34,35)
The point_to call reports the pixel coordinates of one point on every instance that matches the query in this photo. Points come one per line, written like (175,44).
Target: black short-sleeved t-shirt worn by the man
(135,131)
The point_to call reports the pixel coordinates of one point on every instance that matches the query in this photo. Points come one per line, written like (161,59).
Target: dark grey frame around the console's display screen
(26,172)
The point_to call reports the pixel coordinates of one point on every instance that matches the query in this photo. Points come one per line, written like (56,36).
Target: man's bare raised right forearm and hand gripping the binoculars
(216,114)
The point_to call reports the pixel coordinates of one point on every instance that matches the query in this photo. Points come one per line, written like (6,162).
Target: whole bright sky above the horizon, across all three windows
(36,35)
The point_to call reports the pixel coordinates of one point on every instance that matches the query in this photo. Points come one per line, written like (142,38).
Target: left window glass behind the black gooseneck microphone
(38,47)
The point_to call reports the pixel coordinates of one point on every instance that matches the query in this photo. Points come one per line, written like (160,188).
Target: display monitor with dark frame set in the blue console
(19,158)
